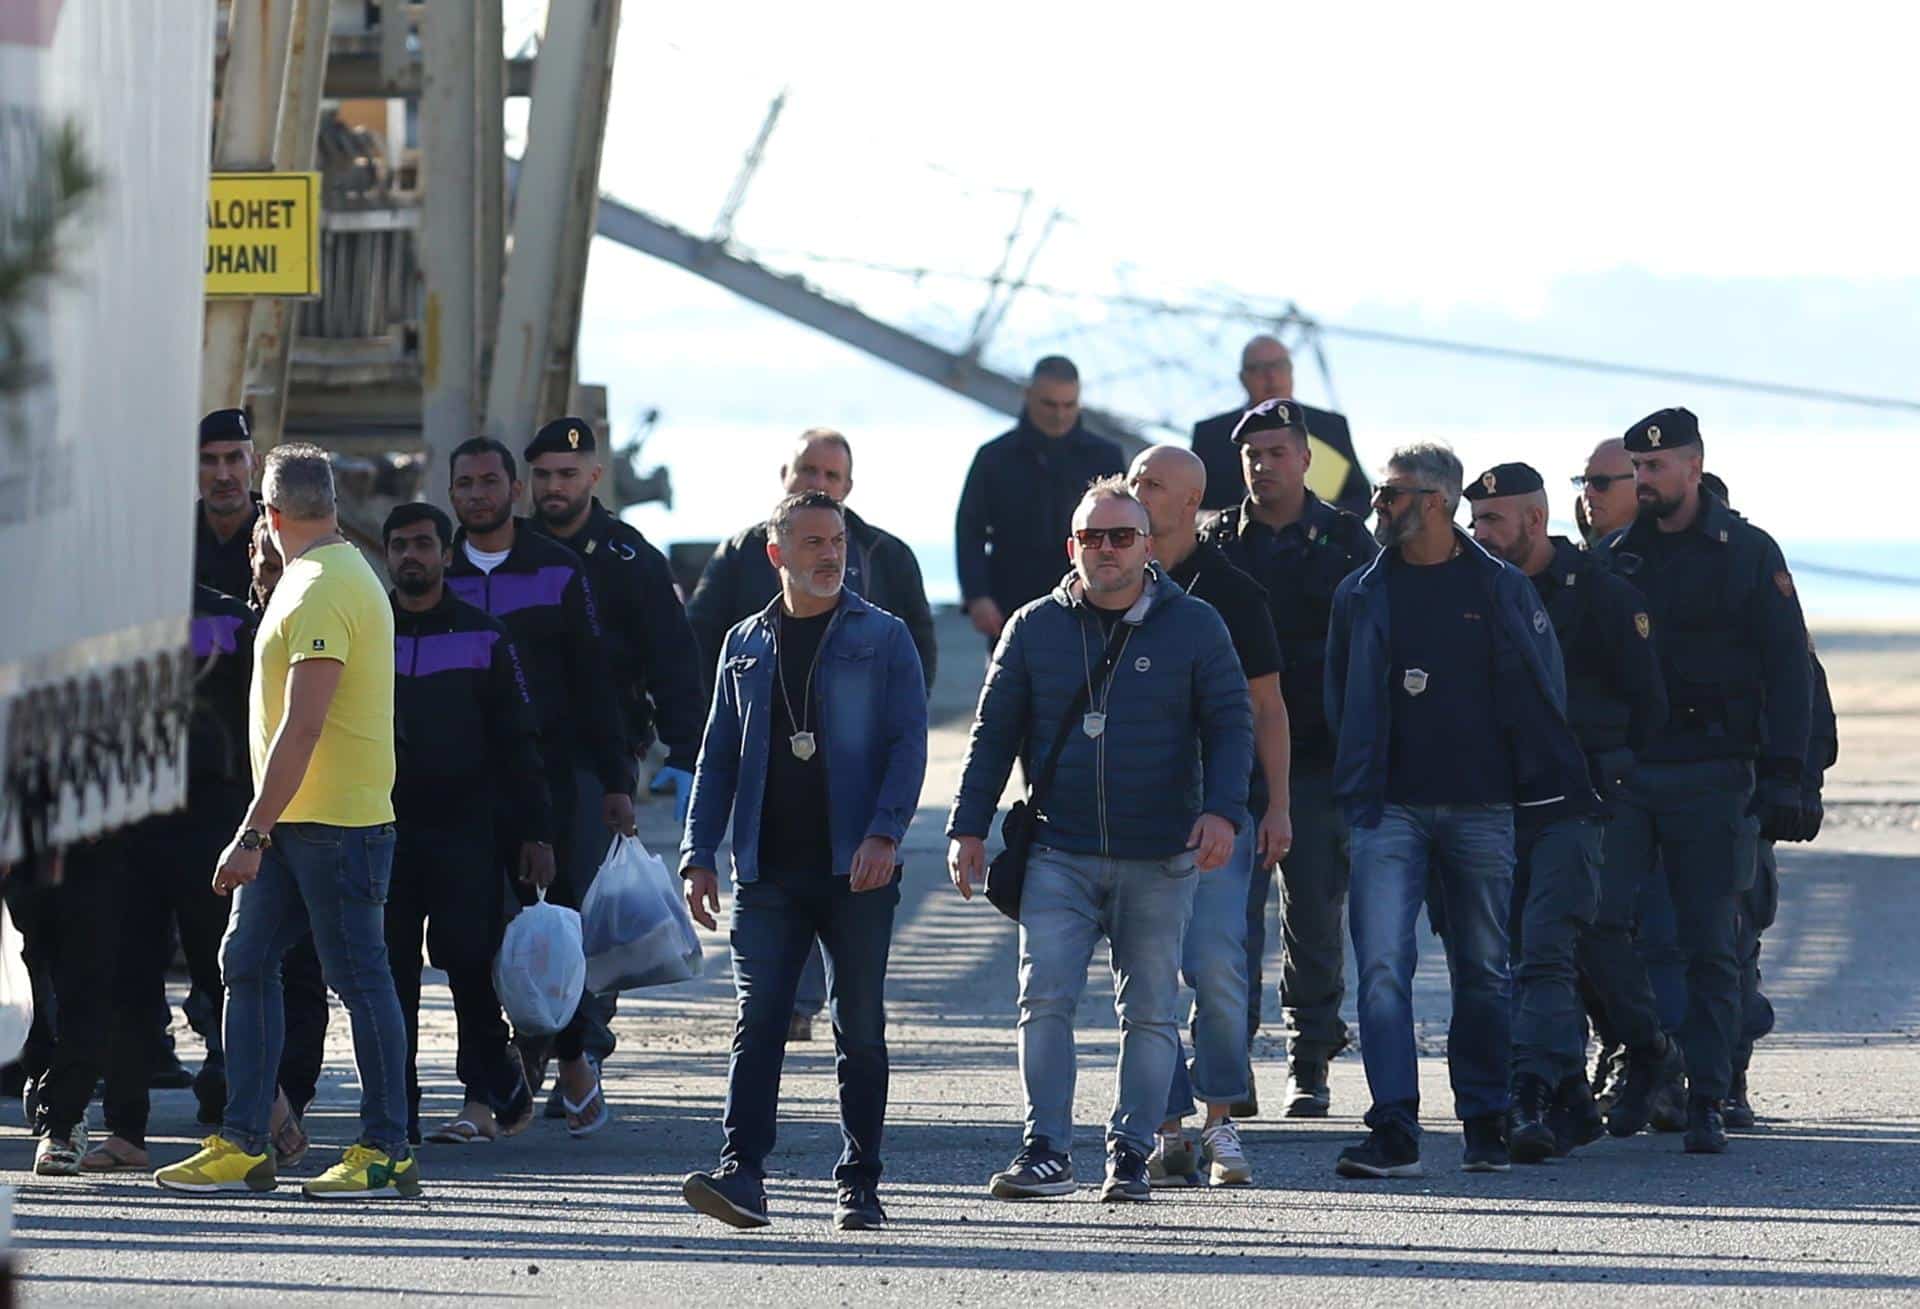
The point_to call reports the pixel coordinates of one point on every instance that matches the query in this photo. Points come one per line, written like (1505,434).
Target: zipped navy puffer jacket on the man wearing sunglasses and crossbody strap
(1178,738)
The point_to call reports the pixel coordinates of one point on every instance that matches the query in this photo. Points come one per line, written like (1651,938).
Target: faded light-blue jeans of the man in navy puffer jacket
(1141,907)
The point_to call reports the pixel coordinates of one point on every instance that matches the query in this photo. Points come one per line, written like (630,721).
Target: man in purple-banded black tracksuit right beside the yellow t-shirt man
(468,755)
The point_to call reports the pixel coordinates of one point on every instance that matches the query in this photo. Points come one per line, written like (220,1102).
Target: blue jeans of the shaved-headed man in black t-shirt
(1214,964)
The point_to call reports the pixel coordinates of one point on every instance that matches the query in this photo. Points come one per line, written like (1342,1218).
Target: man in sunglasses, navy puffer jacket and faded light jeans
(1126,830)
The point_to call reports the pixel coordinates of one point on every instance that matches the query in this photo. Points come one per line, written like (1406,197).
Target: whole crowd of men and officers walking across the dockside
(1573,755)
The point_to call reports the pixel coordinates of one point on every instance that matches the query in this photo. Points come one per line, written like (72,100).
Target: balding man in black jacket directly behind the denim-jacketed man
(740,581)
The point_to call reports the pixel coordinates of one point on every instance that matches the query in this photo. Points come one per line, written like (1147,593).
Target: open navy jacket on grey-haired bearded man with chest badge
(1529,694)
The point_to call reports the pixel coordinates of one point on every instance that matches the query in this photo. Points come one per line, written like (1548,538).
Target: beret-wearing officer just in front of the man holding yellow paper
(1299,548)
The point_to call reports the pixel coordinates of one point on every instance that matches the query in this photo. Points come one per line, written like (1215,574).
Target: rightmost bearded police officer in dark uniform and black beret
(1723,773)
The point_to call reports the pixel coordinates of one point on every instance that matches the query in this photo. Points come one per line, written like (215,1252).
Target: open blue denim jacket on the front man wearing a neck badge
(873,703)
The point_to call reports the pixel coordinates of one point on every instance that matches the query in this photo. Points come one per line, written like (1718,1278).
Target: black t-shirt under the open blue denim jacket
(796,842)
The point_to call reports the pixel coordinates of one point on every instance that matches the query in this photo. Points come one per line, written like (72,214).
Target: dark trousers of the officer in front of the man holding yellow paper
(1314,882)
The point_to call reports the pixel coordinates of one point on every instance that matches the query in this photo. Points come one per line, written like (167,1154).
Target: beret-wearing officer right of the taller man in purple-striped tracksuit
(656,661)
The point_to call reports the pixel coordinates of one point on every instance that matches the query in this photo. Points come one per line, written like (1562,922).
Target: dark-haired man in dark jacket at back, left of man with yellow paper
(1020,494)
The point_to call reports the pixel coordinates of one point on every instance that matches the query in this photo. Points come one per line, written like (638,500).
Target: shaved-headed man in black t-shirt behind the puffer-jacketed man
(1172,483)
